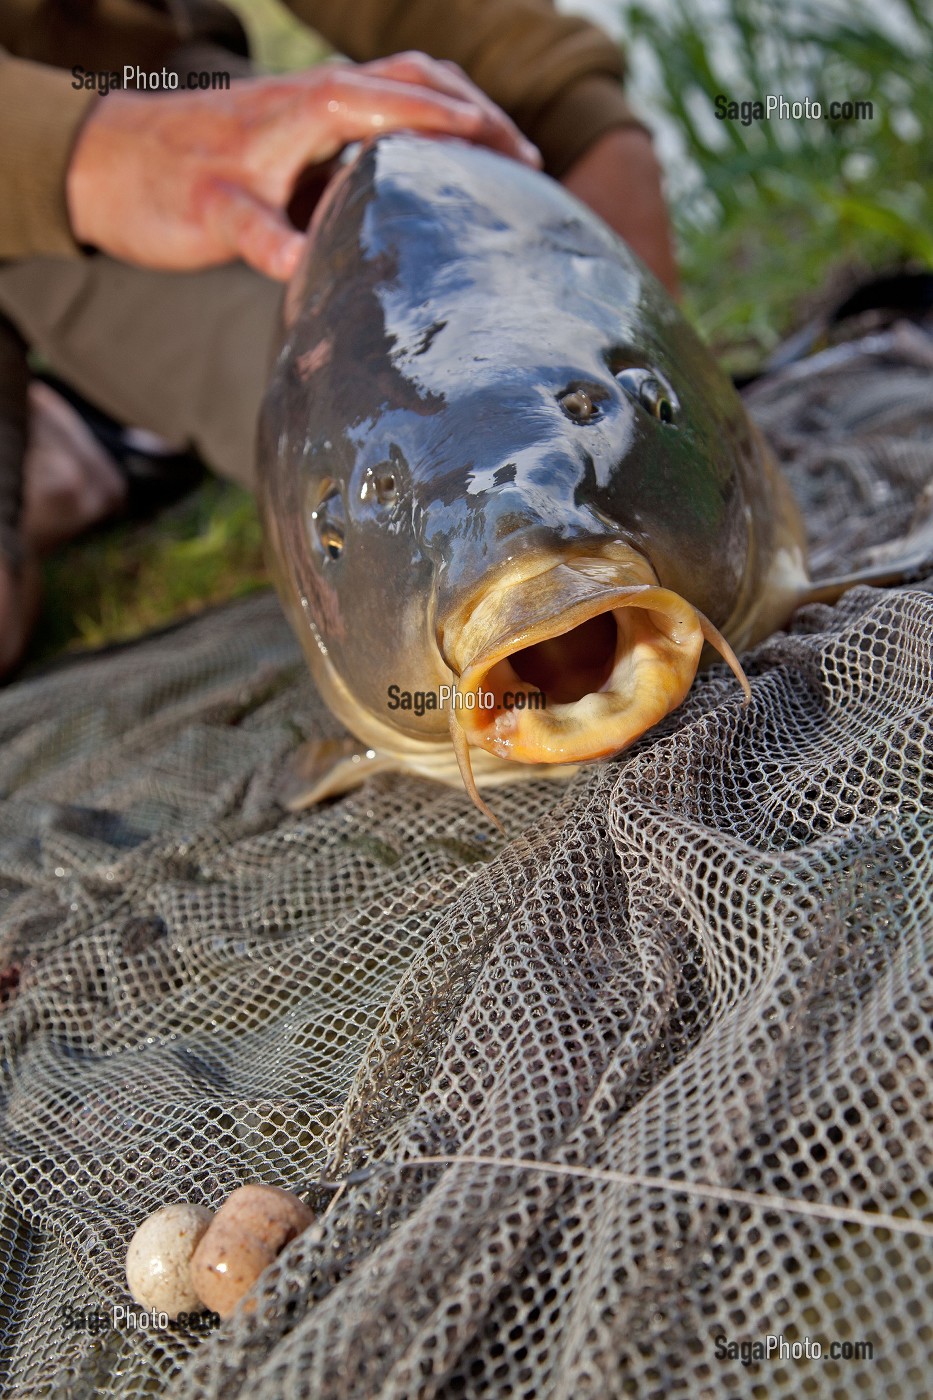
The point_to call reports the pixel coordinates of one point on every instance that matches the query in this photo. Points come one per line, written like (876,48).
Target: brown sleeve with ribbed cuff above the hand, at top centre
(557,75)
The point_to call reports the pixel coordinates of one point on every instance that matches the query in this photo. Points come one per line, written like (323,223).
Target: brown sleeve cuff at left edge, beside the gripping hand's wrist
(40,117)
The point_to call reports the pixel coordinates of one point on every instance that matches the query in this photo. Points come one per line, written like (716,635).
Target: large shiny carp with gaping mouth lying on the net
(498,465)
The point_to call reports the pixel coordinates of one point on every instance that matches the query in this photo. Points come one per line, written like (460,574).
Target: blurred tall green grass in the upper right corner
(785,209)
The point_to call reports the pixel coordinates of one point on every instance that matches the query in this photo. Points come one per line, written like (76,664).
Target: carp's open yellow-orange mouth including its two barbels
(567,668)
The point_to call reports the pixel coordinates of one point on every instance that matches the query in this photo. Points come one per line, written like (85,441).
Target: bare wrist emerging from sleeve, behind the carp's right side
(620,178)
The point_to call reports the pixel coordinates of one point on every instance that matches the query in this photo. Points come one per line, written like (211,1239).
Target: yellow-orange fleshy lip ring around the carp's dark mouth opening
(658,649)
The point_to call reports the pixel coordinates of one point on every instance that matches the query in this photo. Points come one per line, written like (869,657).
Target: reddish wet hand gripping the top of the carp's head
(193,180)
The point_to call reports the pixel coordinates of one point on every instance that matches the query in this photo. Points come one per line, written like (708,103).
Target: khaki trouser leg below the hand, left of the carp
(184,355)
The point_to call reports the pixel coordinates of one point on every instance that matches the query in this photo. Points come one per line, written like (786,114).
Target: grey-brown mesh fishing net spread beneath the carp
(694,988)
